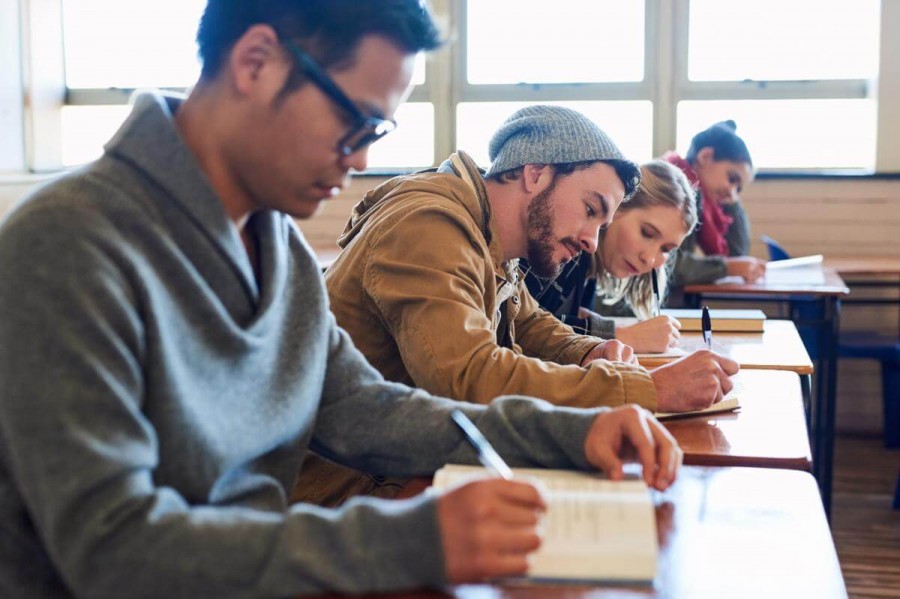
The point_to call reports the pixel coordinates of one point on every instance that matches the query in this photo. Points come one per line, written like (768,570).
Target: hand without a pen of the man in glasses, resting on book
(631,433)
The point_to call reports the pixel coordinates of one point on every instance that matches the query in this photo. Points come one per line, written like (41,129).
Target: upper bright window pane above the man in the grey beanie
(522,41)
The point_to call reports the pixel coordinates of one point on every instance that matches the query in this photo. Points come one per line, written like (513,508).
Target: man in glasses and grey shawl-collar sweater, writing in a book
(167,353)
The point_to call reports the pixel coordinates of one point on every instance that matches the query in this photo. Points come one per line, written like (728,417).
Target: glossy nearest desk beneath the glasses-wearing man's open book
(724,532)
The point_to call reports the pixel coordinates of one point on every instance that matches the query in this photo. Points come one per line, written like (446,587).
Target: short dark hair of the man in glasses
(328,30)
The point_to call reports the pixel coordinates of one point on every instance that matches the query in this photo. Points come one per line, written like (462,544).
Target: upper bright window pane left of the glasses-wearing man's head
(111,43)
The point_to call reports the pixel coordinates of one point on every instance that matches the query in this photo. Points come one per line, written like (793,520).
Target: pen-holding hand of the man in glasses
(488,528)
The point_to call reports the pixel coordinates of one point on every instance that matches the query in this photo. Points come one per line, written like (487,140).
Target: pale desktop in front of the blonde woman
(778,347)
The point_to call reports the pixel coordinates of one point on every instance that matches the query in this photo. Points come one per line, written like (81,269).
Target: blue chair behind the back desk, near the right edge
(885,350)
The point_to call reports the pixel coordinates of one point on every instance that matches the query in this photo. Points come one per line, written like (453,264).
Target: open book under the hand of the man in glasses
(595,529)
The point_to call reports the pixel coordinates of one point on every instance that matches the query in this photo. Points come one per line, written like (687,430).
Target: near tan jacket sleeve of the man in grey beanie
(427,276)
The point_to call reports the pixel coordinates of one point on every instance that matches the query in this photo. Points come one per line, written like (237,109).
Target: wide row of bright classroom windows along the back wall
(799,77)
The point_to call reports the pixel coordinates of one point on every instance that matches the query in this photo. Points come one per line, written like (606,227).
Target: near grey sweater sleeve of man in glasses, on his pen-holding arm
(83,456)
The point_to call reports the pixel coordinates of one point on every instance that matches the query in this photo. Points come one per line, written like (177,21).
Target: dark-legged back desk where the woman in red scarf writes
(824,295)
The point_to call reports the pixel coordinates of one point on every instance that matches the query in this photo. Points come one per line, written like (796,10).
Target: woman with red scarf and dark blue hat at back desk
(719,165)
